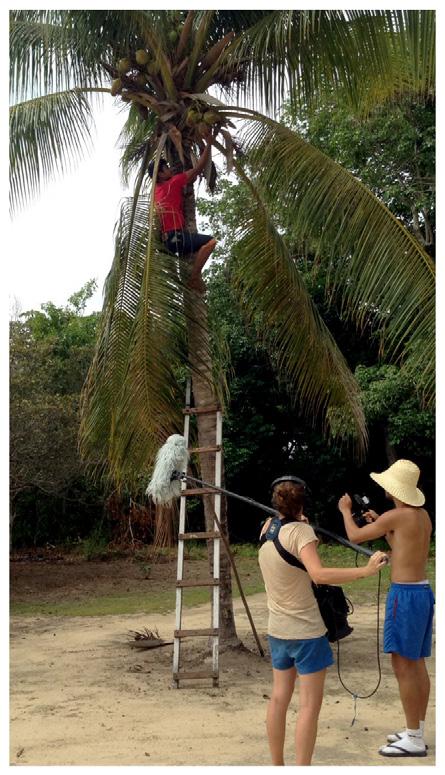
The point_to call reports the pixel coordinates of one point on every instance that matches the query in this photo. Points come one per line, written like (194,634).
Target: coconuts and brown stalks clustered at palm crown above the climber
(169,80)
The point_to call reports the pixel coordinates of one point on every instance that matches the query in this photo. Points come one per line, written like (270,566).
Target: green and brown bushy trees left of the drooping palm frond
(50,351)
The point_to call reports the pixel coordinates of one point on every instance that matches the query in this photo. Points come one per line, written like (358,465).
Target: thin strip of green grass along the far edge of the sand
(162,599)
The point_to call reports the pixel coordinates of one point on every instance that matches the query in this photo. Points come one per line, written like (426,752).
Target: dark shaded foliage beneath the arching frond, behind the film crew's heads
(266,433)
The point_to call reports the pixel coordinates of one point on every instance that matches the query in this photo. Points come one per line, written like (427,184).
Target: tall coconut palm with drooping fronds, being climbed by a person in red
(175,73)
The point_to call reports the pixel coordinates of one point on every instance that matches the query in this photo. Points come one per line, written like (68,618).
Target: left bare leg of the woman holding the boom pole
(282,690)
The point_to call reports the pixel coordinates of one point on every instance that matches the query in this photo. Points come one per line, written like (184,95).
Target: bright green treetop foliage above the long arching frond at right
(401,173)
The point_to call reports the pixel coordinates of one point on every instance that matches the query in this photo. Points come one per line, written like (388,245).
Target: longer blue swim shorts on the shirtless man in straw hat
(409,620)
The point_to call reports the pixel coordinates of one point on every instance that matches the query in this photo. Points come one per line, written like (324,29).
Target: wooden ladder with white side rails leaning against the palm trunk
(213,583)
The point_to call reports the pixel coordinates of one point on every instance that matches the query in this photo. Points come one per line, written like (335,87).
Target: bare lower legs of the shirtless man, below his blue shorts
(414,688)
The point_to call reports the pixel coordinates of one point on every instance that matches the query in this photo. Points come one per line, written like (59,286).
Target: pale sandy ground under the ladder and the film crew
(80,695)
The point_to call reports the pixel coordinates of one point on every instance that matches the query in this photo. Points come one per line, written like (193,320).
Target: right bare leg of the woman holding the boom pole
(311,697)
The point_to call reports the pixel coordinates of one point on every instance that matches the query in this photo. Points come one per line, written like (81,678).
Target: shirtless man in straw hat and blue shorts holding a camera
(410,601)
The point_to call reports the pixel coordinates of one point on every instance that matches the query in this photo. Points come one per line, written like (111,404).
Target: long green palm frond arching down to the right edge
(377,269)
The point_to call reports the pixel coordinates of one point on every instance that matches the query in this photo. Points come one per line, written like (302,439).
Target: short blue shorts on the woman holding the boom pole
(307,656)
